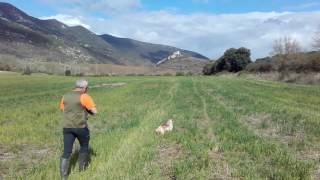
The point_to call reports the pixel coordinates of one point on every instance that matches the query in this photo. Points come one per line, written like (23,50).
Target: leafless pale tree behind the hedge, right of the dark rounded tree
(285,46)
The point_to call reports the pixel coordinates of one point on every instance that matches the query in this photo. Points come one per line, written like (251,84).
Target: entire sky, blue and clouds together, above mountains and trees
(208,27)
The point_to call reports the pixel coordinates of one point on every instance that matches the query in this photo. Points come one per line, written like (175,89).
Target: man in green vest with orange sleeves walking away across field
(76,105)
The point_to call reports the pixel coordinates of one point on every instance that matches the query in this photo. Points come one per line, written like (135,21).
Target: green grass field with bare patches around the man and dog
(224,128)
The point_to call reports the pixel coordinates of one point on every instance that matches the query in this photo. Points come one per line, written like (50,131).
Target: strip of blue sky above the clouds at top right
(233,6)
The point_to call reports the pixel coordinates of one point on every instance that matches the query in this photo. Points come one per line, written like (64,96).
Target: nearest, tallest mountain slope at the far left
(49,40)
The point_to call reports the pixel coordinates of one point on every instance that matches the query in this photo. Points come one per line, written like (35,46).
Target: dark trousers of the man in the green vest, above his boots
(69,136)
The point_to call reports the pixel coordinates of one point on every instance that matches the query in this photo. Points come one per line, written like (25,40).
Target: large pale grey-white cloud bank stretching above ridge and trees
(212,34)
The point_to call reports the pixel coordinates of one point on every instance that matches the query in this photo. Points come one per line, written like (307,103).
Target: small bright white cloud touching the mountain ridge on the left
(69,20)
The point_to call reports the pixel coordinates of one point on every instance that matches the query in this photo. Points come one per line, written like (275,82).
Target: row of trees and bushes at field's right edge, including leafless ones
(286,56)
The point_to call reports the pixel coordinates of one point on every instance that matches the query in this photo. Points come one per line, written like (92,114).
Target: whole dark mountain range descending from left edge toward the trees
(30,38)
